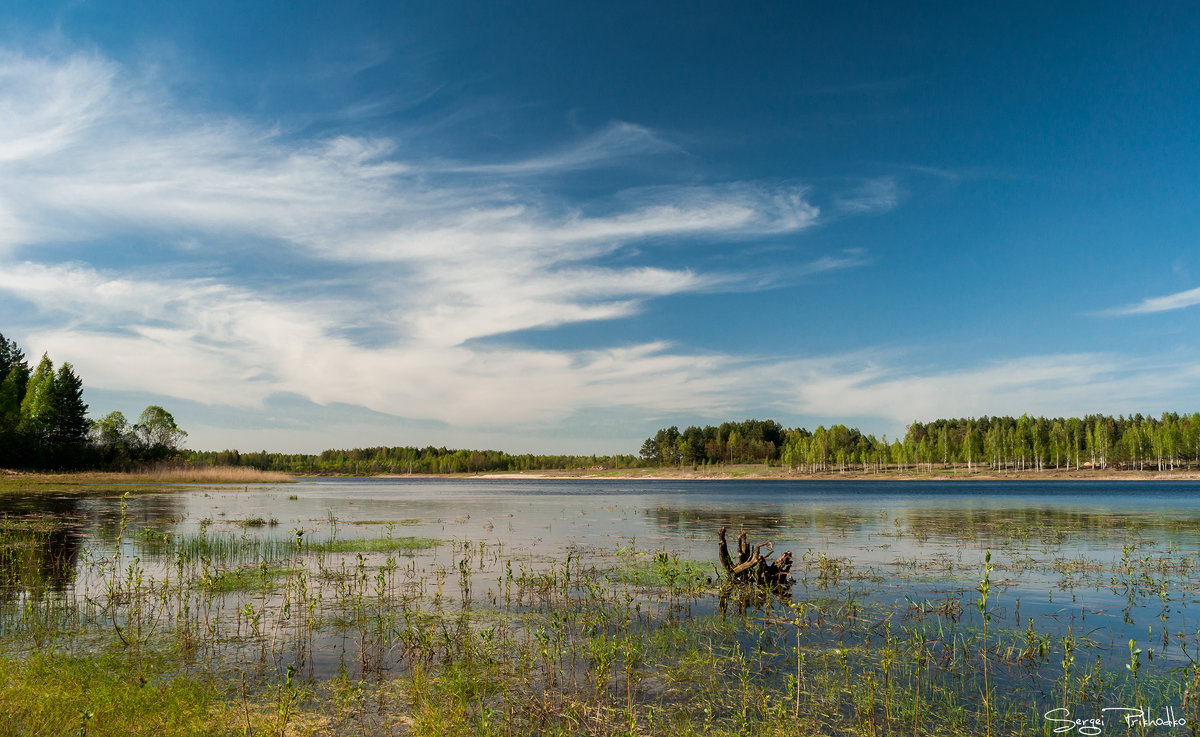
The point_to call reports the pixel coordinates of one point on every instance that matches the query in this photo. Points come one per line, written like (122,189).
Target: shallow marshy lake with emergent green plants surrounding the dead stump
(459,609)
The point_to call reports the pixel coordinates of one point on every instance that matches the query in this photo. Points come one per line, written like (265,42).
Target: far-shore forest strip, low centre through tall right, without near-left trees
(1004,444)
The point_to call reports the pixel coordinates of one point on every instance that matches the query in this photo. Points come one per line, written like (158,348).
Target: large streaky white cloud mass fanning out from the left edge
(435,256)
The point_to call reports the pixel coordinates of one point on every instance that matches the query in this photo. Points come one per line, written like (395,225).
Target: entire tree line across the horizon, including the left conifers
(44,426)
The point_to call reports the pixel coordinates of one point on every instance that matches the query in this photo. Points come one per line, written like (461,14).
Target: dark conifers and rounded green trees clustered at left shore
(45,424)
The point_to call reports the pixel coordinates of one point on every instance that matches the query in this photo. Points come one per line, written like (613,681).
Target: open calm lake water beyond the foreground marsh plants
(1112,561)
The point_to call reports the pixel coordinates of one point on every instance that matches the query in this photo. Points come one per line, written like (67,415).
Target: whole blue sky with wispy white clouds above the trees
(563,226)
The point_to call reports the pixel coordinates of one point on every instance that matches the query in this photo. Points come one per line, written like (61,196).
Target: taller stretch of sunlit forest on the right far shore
(999,444)
